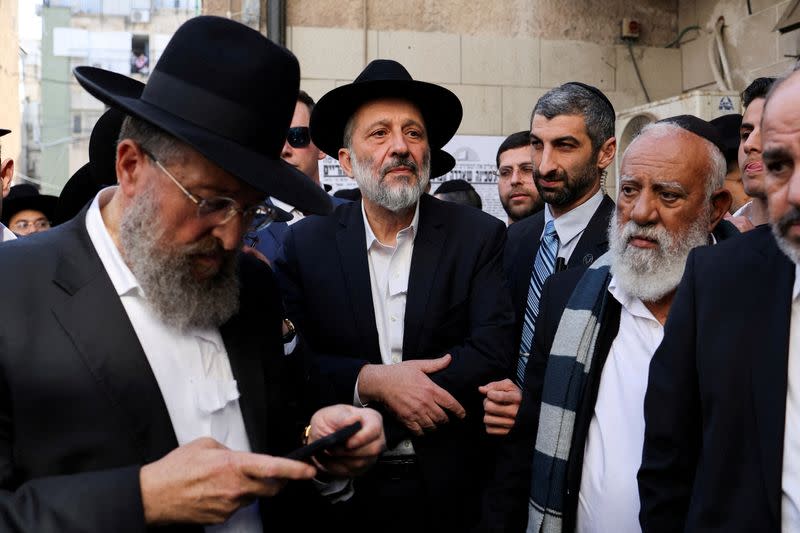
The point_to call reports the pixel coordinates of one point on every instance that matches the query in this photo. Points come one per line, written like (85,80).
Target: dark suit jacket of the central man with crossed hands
(457,303)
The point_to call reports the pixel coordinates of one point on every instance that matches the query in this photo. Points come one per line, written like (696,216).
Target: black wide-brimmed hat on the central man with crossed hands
(385,78)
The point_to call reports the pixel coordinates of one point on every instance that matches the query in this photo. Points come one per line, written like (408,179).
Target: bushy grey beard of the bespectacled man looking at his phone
(166,275)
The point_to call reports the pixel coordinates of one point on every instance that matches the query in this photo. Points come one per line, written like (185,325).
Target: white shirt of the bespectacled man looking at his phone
(191,368)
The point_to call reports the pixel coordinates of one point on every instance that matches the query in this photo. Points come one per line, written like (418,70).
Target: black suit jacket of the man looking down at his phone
(80,409)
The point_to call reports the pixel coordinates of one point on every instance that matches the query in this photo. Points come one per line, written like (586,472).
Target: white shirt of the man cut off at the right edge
(790,481)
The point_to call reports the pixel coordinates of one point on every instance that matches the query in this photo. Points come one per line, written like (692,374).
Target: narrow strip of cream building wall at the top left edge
(10,116)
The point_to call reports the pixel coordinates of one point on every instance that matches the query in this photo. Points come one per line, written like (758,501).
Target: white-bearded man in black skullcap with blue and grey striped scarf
(574,449)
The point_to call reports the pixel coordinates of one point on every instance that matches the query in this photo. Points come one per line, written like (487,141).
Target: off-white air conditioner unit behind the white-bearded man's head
(704,104)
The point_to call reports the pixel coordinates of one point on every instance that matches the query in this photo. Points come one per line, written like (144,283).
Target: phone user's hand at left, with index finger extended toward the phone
(204,482)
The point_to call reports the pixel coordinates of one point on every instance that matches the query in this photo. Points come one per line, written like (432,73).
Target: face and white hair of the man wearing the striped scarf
(662,212)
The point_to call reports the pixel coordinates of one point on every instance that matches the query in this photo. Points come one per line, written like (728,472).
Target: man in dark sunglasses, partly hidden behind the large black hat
(300,152)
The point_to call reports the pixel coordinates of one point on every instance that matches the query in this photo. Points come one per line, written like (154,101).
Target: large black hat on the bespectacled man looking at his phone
(228,92)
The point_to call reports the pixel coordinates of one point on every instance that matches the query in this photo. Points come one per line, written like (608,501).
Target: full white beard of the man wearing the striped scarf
(651,273)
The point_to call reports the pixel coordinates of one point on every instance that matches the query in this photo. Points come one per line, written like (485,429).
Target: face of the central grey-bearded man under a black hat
(389,155)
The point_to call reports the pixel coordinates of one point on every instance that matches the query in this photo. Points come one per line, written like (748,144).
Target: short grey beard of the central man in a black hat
(375,188)
